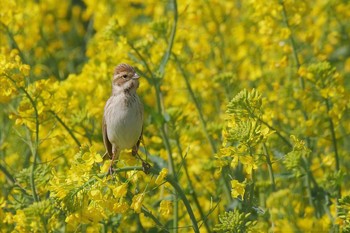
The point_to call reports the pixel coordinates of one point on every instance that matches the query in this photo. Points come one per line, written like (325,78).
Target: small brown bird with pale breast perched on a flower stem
(123,114)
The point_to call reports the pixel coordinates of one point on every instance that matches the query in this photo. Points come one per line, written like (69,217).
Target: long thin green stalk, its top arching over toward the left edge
(34,148)
